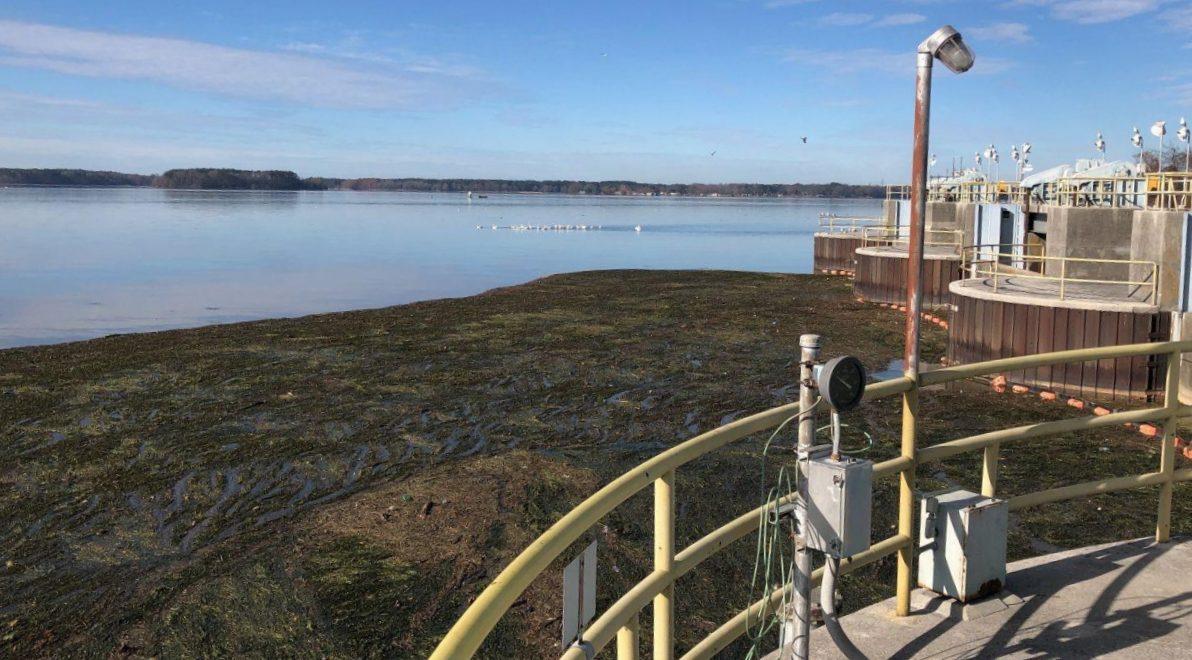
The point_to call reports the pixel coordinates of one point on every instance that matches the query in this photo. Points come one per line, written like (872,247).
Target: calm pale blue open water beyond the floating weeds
(85,263)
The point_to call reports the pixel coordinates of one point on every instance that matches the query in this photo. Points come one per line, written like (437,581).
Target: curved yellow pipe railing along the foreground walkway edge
(620,620)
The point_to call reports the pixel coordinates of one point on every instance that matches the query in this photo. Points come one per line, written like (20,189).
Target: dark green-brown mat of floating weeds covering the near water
(343,485)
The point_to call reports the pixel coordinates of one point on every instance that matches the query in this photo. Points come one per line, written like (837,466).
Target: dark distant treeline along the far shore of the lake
(222,179)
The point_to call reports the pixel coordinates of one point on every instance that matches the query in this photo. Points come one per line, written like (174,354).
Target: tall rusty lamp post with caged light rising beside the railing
(948,46)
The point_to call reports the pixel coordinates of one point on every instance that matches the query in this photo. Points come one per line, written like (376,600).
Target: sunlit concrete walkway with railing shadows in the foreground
(1129,600)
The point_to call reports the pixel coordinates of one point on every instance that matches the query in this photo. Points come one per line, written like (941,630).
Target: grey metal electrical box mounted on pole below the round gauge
(840,503)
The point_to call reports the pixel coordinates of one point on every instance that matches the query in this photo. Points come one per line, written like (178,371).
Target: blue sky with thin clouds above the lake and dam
(611,90)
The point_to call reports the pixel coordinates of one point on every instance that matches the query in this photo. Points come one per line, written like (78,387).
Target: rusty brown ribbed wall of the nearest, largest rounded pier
(991,329)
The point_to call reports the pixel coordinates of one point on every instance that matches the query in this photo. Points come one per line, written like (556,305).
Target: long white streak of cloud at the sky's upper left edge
(254,74)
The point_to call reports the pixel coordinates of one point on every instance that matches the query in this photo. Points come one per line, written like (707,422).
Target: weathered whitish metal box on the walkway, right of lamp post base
(963,544)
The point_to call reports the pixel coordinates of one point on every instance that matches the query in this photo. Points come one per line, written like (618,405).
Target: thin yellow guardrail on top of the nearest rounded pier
(996,263)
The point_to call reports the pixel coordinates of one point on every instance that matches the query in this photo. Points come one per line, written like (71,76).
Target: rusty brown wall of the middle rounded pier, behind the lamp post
(883,279)
